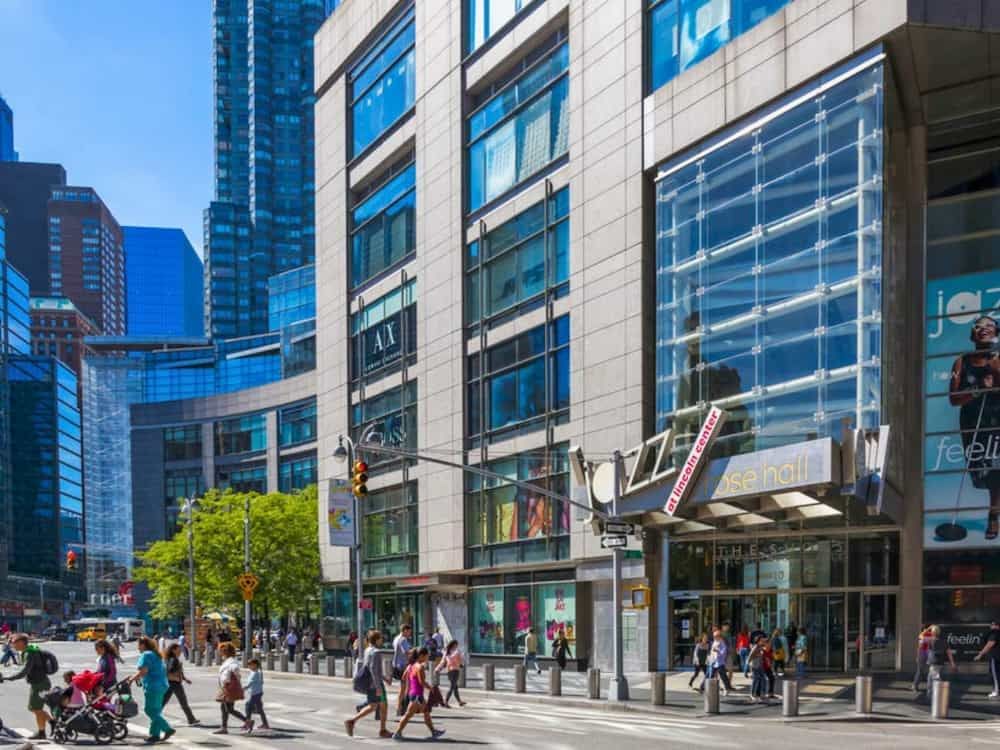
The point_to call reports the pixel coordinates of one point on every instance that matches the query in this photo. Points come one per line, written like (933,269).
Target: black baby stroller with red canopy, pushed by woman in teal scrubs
(83,708)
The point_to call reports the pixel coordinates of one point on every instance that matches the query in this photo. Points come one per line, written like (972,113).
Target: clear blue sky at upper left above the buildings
(120,93)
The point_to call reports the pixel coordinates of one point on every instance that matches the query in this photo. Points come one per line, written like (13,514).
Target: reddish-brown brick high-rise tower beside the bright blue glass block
(87,257)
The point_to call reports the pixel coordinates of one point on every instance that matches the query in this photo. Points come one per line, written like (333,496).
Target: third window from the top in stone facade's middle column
(521,259)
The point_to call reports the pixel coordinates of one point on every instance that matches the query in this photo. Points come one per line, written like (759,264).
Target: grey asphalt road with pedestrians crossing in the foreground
(308,712)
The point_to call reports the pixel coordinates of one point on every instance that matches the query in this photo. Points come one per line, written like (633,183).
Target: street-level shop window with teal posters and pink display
(501,615)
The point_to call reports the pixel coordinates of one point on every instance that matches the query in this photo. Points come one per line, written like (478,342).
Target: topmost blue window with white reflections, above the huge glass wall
(680,33)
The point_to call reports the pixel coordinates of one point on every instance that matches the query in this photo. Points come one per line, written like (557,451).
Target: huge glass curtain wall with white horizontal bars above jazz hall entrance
(769,273)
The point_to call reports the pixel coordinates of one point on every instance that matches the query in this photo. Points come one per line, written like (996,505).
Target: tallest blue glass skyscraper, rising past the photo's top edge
(261,221)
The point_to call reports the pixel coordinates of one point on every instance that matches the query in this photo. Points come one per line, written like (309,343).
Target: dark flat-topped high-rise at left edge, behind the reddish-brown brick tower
(25,188)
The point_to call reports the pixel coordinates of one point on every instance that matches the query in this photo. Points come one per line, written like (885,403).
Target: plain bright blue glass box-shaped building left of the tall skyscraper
(165,289)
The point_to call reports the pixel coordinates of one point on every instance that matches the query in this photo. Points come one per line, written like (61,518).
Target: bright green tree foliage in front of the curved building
(284,553)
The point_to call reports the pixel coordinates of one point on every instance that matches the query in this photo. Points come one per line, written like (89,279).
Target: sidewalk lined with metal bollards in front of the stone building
(821,697)
